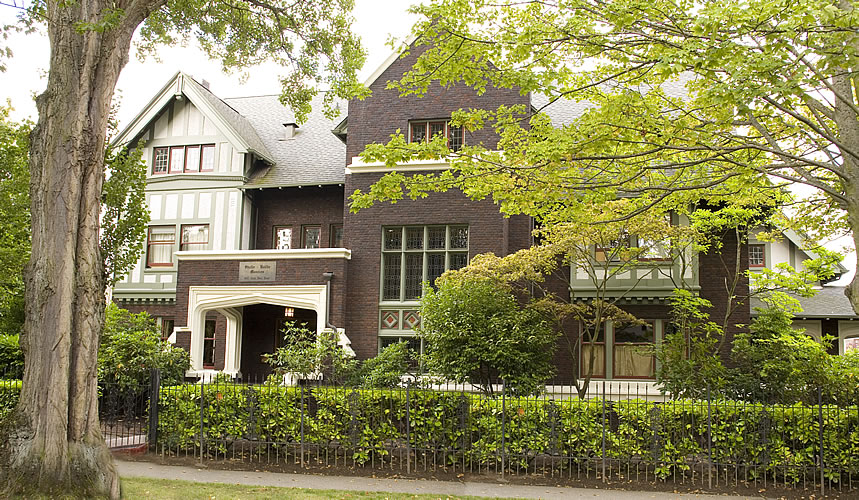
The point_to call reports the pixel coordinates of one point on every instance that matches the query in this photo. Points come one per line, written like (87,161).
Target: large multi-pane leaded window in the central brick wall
(414,254)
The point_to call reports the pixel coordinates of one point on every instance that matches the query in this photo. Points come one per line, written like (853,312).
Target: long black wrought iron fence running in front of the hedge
(627,432)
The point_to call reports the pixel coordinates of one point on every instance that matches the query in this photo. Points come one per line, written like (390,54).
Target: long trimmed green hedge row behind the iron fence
(782,441)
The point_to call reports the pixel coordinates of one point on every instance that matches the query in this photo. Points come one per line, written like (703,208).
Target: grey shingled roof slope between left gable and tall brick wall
(313,155)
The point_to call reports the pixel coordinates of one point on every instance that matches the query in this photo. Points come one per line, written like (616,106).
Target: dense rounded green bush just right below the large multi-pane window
(476,331)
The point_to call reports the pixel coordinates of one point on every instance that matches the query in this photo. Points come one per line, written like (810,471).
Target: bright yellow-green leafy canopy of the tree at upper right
(680,102)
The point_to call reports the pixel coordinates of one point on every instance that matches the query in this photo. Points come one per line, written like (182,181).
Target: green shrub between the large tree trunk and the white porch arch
(131,347)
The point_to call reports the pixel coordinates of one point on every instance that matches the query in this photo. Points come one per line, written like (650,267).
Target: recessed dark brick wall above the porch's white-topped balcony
(294,207)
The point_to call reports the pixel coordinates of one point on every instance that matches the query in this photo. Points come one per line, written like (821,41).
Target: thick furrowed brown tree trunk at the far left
(55,443)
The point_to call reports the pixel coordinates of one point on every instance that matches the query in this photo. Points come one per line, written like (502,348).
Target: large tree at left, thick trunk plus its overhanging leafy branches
(56,445)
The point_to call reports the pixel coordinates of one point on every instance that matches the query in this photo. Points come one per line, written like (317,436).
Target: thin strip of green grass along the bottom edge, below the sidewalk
(134,488)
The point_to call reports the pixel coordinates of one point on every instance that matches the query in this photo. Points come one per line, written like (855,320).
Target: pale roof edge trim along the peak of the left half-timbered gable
(239,132)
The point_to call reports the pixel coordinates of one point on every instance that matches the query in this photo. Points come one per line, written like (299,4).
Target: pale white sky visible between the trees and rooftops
(376,21)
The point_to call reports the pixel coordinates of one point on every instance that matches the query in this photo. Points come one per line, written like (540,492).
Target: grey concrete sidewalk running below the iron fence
(408,486)
